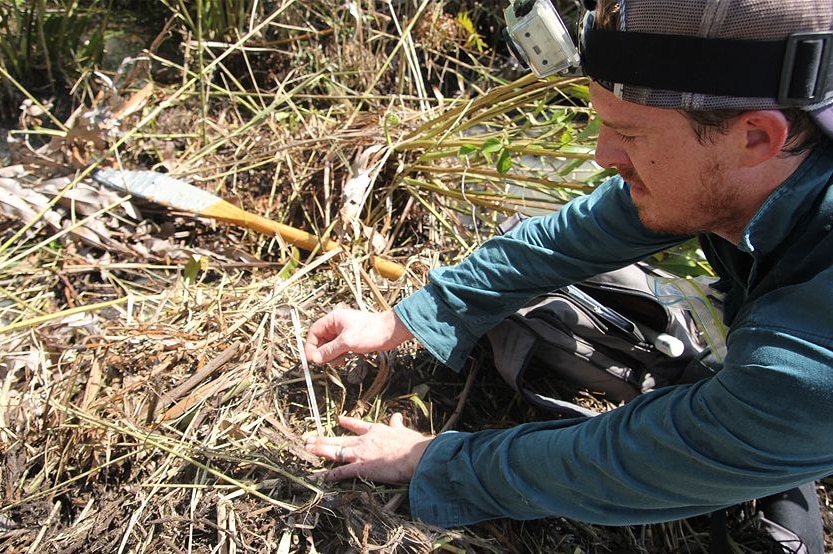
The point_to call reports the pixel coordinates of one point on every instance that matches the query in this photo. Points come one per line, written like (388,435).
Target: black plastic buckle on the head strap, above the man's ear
(807,70)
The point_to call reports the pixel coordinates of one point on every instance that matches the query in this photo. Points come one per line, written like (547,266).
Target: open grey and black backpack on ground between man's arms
(618,334)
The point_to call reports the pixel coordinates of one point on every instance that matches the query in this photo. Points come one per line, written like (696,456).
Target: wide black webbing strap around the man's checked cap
(796,71)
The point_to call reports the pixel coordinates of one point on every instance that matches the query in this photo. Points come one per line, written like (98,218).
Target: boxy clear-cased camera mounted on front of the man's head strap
(538,38)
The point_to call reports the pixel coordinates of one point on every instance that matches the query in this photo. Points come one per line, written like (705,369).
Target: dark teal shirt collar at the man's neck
(776,218)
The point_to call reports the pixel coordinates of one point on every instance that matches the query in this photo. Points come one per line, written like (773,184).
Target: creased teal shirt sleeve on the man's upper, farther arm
(590,235)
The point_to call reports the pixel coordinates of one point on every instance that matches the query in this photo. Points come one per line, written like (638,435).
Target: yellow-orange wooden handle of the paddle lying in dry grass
(225,211)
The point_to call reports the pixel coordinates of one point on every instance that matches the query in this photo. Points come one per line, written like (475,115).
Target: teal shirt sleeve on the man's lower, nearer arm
(753,430)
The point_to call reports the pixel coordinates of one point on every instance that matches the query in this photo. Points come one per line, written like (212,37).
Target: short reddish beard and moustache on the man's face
(712,207)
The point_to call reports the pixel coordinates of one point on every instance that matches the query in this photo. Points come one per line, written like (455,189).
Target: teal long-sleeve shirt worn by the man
(762,425)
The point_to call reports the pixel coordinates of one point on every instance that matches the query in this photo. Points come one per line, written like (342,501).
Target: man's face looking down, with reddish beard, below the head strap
(678,184)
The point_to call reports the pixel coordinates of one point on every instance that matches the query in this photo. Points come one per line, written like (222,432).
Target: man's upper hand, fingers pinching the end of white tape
(343,331)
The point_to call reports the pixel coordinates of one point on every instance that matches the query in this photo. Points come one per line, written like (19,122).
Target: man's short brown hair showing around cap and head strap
(708,124)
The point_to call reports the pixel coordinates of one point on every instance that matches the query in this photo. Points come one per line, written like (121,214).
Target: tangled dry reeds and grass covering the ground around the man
(151,393)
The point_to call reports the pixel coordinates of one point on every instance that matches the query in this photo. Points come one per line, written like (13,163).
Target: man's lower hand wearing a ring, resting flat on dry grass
(379,452)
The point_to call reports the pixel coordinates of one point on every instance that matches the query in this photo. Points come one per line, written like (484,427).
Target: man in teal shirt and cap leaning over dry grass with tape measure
(741,158)
